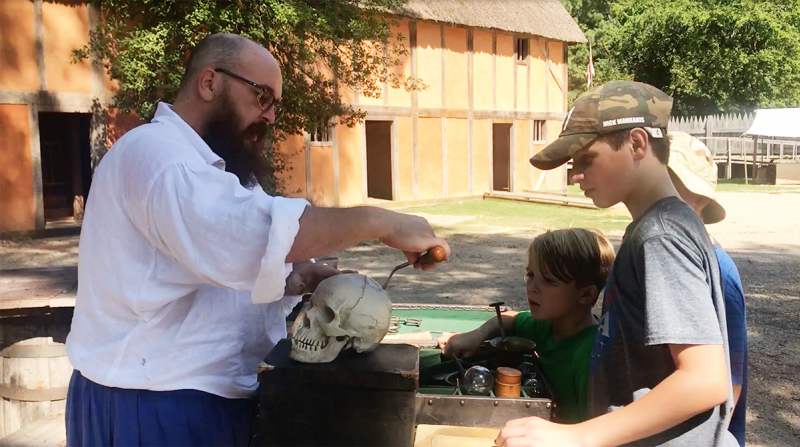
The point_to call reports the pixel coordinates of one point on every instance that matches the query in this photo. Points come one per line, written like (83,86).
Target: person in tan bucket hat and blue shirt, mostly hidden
(694,174)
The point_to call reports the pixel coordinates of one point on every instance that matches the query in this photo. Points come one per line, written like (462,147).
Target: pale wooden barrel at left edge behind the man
(35,371)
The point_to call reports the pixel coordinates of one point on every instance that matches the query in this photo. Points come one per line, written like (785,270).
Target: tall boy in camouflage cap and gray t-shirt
(659,371)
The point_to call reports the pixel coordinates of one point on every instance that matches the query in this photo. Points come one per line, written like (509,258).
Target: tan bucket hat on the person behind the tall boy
(692,163)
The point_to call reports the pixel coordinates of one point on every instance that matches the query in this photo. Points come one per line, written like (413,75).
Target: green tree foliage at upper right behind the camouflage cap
(710,55)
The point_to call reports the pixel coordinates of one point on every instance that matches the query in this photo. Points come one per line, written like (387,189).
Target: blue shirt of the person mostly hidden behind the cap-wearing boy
(737,336)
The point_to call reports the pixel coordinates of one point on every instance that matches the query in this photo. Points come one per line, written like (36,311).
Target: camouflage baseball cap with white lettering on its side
(610,107)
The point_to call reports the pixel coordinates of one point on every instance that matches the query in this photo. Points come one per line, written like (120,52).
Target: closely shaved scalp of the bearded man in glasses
(215,51)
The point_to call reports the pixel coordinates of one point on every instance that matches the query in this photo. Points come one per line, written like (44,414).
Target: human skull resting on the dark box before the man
(346,311)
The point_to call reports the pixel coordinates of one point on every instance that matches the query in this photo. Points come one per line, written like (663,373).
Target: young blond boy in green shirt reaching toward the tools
(565,272)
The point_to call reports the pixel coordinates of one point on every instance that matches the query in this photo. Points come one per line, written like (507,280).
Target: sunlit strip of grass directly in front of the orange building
(472,216)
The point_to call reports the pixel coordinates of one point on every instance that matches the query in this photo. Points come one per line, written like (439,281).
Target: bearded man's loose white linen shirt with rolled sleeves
(174,253)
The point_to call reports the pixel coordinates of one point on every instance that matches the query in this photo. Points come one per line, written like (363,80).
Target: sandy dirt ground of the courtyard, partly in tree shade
(761,233)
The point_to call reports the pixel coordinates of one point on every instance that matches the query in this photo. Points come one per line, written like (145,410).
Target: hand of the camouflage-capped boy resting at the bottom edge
(537,432)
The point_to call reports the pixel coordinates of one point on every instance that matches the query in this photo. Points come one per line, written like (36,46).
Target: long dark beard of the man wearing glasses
(243,151)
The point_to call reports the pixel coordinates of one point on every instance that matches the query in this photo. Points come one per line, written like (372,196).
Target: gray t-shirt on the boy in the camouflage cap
(664,289)
